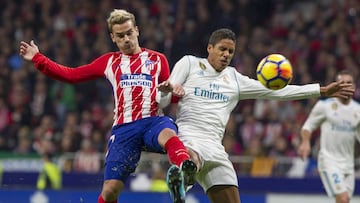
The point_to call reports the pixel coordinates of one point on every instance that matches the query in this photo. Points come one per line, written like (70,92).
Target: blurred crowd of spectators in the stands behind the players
(41,115)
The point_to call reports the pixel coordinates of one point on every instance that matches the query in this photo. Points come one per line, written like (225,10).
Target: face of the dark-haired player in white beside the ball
(221,53)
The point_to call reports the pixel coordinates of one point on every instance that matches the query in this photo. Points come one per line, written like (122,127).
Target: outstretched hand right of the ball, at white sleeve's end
(338,89)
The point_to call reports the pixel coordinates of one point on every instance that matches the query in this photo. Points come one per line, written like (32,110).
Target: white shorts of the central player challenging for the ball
(216,169)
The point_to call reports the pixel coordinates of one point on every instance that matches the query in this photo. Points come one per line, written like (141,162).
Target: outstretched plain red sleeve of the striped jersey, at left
(68,74)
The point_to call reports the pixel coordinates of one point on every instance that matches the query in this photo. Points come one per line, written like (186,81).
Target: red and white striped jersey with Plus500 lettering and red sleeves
(133,78)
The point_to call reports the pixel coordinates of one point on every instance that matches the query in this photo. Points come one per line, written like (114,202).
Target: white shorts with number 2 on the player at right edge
(335,180)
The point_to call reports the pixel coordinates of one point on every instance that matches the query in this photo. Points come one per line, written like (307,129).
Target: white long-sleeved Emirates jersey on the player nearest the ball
(210,97)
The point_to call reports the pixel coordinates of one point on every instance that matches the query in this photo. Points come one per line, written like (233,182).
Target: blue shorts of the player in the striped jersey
(128,140)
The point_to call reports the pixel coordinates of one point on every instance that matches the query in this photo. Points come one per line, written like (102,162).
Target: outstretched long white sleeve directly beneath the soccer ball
(253,89)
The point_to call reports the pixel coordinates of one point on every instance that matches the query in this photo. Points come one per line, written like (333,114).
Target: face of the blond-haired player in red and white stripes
(125,36)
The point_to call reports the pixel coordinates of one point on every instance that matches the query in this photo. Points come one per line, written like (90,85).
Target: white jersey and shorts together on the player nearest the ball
(204,110)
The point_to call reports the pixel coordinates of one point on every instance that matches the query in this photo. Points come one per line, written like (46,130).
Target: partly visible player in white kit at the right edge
(339,121)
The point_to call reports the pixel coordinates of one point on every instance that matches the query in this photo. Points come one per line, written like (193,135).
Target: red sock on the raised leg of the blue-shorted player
(176,151)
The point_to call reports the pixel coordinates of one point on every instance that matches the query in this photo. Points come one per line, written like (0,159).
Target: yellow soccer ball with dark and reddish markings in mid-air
(274,71)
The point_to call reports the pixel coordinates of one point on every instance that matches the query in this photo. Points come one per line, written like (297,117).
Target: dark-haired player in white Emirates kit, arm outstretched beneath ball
(210,90)
